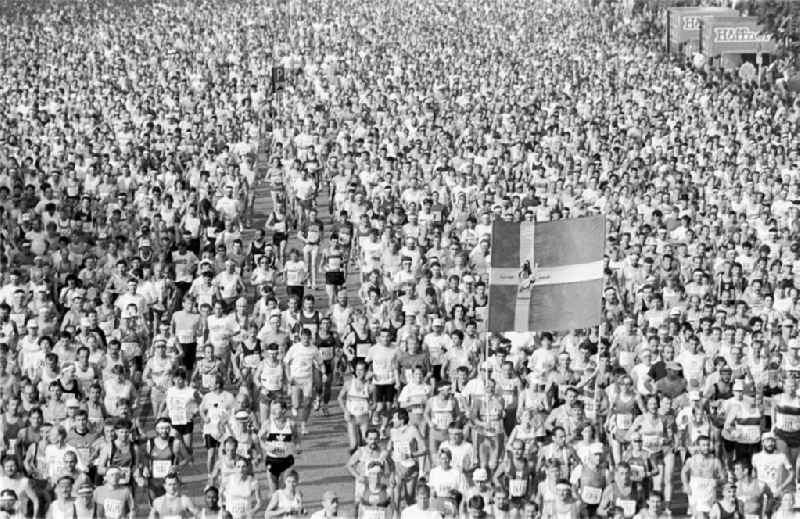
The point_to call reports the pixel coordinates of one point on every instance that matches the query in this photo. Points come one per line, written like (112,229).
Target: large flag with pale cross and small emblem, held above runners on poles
(546,276)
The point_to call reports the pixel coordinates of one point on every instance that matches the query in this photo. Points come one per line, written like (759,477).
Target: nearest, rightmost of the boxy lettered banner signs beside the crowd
(734,35)
